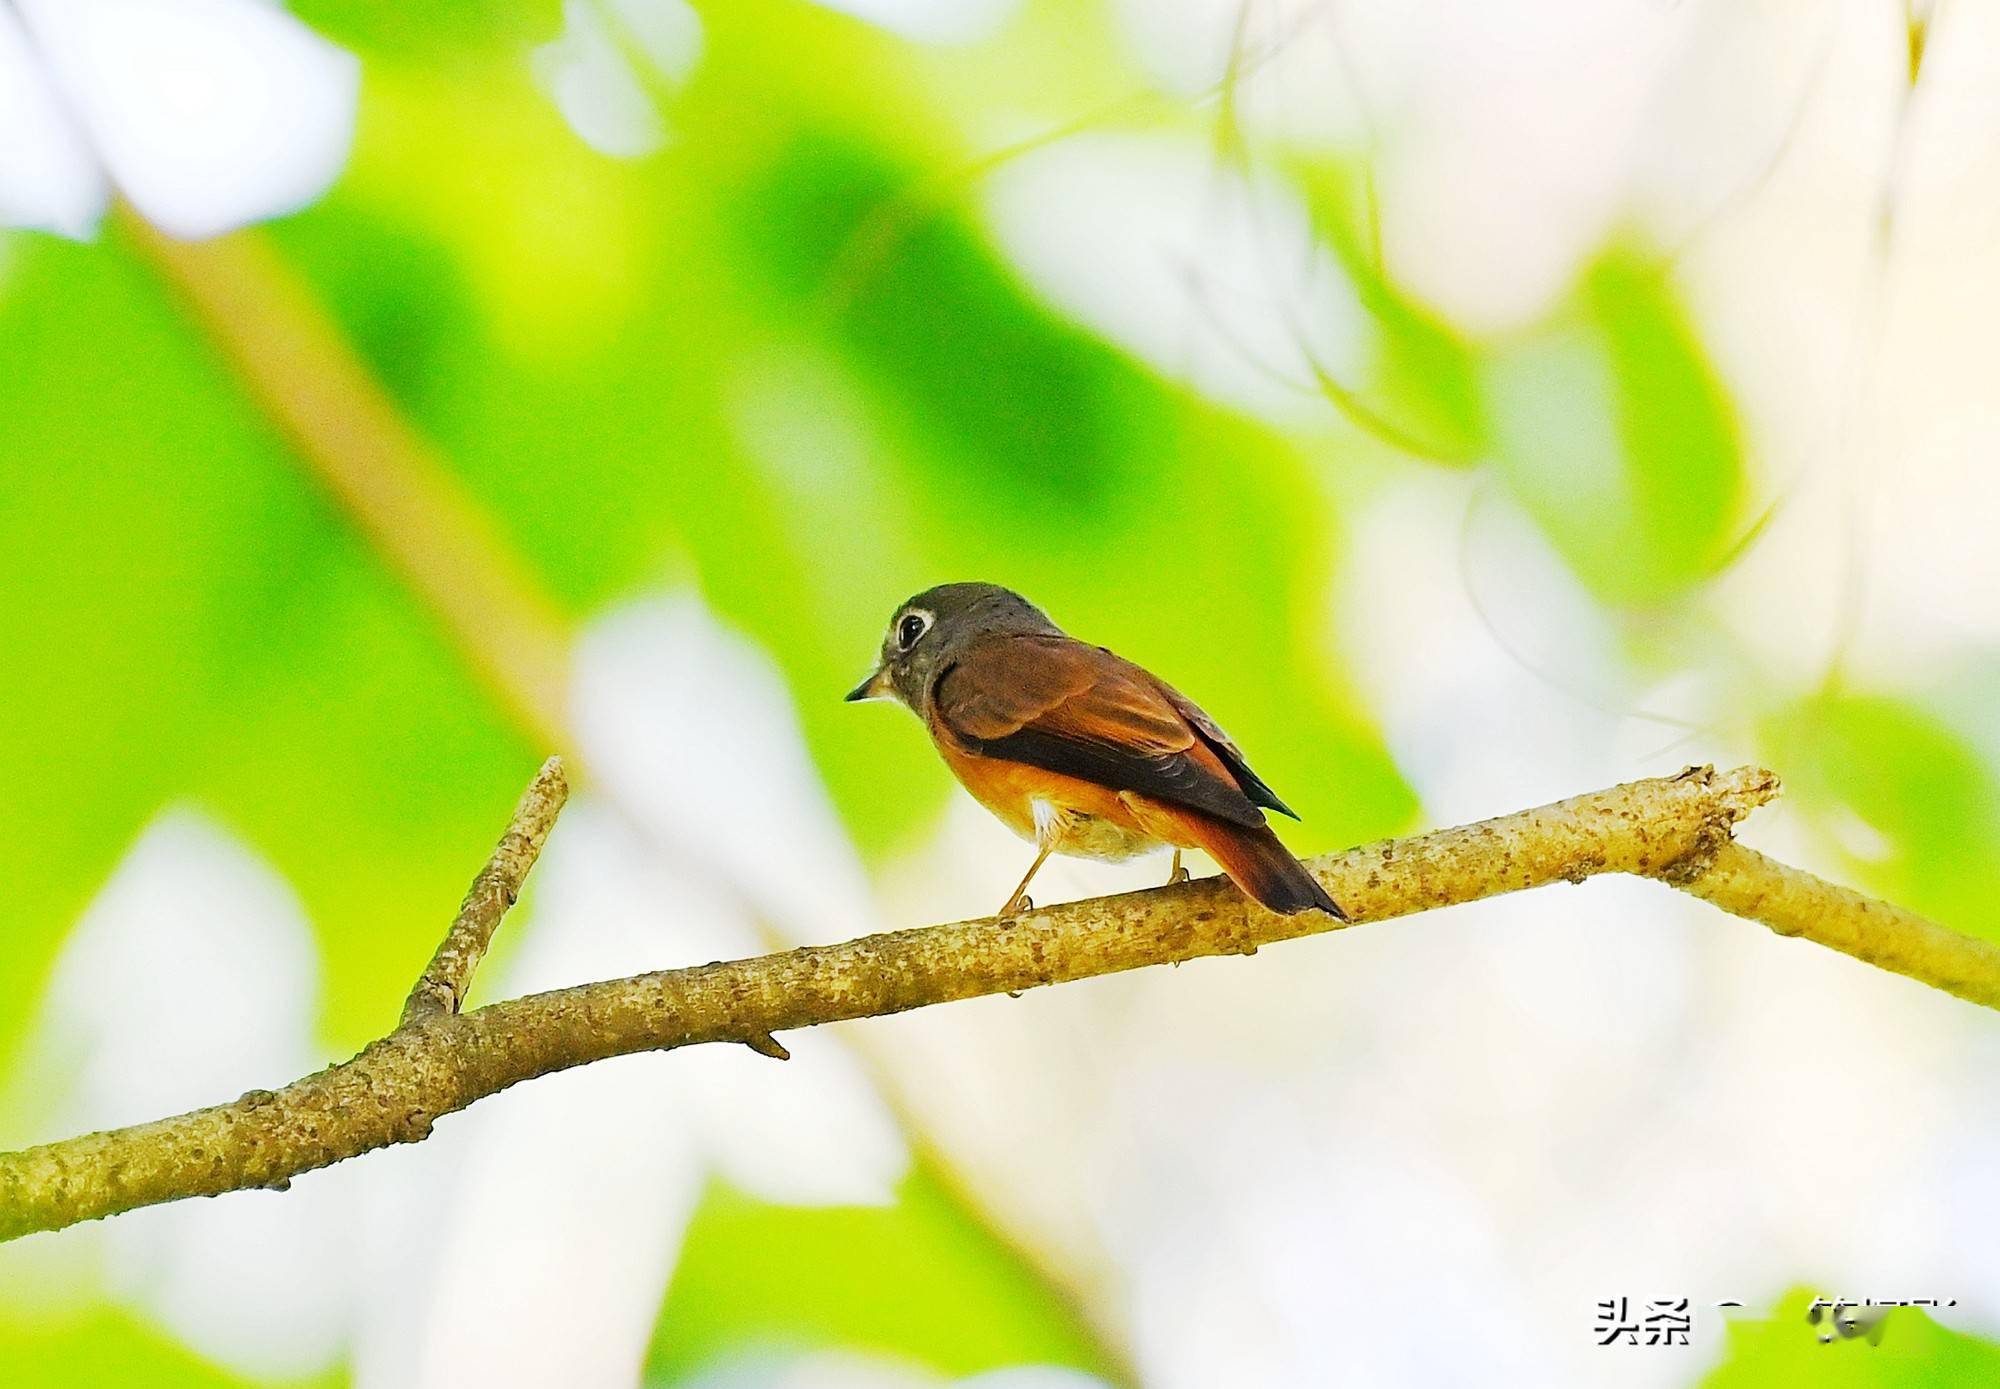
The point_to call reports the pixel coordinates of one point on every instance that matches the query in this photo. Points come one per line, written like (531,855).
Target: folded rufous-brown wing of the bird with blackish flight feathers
(1081,712)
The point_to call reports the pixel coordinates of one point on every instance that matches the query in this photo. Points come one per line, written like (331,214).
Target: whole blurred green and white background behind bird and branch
(1469,401)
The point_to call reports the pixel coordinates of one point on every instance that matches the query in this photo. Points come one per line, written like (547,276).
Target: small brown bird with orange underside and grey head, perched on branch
(1079,750)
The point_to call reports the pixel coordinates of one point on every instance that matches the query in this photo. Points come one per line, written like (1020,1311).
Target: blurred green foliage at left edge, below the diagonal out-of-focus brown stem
(223,637)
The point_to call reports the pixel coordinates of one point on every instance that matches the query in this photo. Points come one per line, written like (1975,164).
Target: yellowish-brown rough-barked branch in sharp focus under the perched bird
(1675,830)
